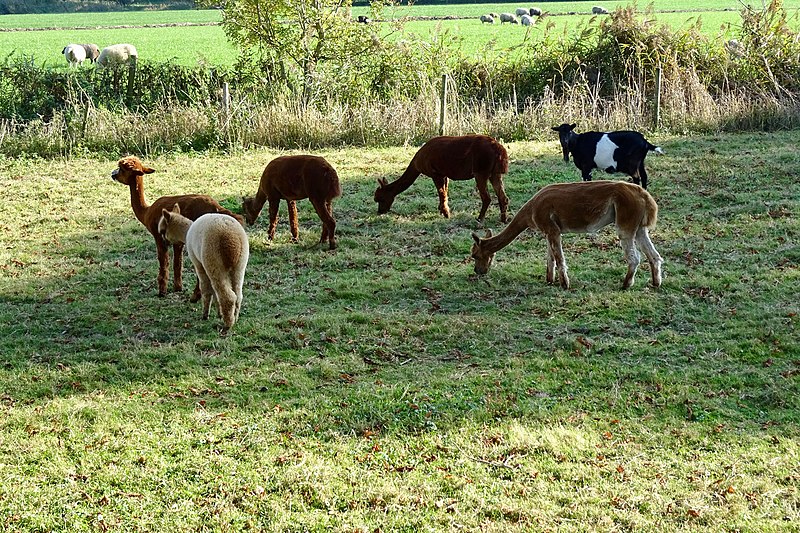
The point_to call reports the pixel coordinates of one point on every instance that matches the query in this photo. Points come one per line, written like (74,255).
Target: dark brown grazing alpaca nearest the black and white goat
(458,158)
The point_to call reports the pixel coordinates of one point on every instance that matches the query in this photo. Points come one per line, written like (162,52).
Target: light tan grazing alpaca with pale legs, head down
(581,208)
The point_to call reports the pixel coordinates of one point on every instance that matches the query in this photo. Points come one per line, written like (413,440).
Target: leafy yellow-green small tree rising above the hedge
(301,40)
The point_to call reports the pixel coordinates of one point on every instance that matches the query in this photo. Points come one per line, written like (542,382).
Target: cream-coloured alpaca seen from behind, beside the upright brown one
(219,250)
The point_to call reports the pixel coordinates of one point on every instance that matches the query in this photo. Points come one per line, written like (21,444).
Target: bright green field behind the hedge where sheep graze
(188,45)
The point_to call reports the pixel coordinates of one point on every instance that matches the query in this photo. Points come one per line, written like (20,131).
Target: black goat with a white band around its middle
(615,151)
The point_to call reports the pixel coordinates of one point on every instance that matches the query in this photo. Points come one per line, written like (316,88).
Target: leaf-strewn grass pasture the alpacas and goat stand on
(382,385)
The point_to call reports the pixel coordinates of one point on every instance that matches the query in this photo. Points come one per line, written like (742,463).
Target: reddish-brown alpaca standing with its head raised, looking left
(130,172)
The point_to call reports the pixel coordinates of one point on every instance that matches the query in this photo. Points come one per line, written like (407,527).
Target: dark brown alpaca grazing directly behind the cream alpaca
(292,178)
